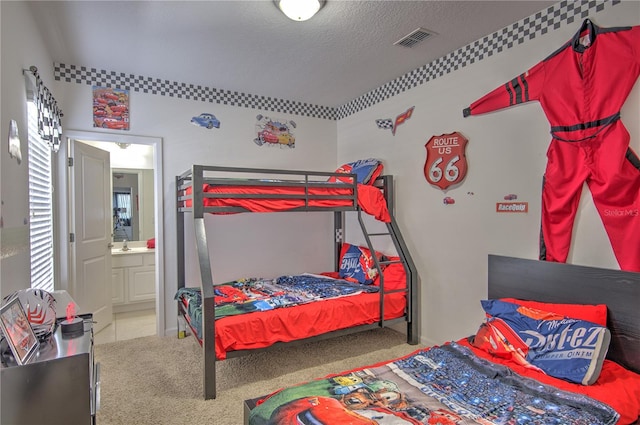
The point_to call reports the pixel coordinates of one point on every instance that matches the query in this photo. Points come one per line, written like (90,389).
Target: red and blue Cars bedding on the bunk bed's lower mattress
(256,313)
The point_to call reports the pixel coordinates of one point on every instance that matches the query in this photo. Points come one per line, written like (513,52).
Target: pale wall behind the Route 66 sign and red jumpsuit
(506,154)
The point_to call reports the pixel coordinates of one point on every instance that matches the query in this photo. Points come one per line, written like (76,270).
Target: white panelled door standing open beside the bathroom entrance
(90,181)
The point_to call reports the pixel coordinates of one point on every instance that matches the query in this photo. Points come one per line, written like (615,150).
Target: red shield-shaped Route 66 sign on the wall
(446,162)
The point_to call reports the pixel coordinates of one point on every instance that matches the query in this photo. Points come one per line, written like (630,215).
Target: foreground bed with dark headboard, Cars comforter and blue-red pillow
(537,358)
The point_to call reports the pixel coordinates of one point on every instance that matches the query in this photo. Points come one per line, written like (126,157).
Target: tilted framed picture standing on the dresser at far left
(18,332)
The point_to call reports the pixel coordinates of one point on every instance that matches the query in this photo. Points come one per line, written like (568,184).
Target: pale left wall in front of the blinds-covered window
(17,24)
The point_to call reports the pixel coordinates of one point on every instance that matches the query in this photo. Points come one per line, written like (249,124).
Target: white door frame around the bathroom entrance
(156,143)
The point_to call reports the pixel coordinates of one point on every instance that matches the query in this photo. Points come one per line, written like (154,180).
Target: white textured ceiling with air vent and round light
(343,52)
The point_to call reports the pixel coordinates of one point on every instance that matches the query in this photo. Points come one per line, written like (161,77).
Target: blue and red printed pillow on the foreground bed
(562,347)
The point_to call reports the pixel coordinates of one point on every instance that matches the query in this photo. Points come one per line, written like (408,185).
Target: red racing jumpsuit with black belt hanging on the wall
(581,88)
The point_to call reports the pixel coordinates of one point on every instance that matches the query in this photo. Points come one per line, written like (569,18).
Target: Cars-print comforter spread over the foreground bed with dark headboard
(447,384)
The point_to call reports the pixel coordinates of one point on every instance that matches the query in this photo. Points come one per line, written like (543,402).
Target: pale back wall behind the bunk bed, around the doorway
(235,253)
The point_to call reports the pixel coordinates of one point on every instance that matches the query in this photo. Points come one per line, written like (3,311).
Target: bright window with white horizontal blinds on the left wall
(40,205)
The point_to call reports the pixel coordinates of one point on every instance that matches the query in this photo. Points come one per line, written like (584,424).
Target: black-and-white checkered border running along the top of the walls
(564,12)
